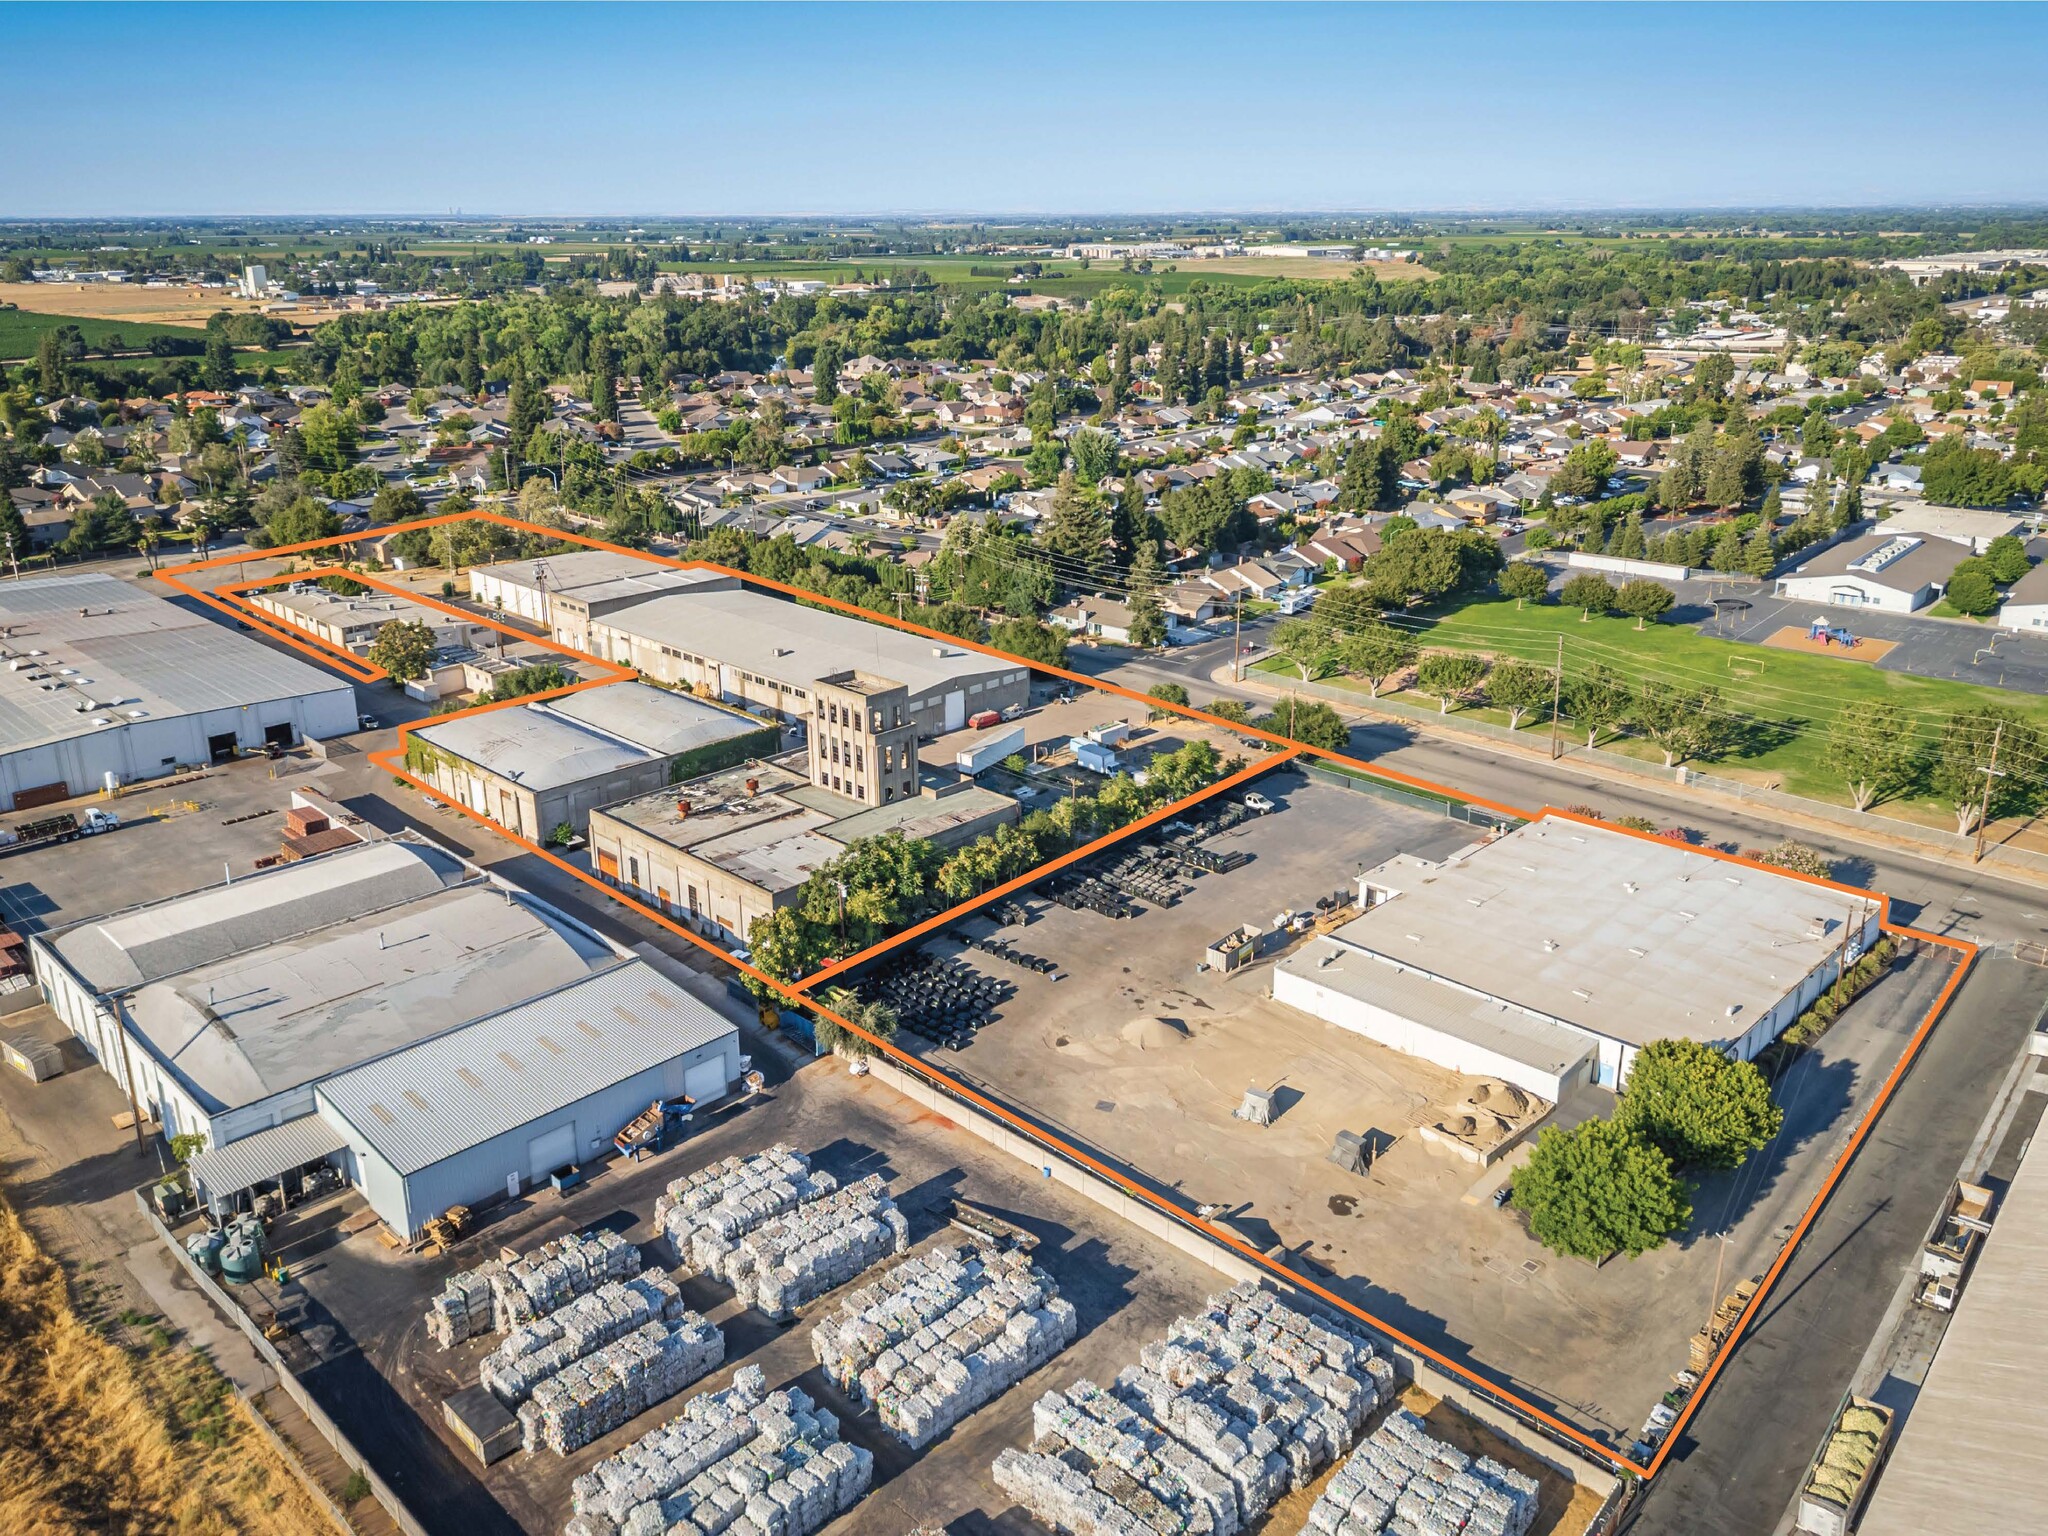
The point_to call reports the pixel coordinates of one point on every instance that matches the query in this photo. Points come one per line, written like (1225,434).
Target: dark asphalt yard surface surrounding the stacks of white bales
(368,1357)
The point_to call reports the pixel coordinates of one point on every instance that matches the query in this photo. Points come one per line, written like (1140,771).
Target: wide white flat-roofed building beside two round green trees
(1555,953)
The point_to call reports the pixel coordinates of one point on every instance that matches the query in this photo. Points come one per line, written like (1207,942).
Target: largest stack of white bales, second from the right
(1236,1408)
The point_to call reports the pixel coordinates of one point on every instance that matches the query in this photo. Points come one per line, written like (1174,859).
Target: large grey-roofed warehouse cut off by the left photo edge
(108,681)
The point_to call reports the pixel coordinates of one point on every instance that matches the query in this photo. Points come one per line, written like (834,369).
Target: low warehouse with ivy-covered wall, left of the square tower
(540,767)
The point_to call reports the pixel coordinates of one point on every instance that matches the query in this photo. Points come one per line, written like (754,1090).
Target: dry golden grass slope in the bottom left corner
(103,1437)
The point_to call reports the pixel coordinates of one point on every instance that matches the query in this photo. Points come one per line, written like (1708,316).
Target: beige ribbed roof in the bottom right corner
(1973,1455)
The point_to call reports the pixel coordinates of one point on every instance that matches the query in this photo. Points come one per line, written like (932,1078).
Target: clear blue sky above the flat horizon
(994,110)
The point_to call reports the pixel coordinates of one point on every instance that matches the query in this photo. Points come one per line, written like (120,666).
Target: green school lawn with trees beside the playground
(1787,699)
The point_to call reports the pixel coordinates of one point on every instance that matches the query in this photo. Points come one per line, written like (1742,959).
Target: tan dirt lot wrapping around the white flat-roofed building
(1416,1242)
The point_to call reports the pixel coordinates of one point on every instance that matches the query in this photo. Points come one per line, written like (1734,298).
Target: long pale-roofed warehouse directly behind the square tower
(712,634)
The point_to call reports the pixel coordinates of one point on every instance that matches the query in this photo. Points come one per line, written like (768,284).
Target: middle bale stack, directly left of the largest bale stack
(943,1334)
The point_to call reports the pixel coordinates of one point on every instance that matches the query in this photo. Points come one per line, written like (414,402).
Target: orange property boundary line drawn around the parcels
(1285,751)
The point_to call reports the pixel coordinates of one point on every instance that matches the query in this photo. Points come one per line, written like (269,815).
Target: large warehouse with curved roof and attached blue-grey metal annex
(431,1029)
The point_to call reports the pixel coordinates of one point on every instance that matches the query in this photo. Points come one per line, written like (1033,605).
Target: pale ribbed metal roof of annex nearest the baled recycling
(437,1099)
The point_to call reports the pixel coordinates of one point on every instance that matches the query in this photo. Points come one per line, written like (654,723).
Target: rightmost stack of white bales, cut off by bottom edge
(1408,1484)
